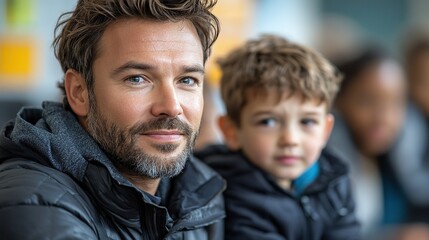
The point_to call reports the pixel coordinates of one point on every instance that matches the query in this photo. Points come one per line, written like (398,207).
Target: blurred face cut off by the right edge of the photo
(419,81)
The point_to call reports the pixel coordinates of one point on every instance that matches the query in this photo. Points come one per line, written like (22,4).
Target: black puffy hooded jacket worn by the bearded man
(56,183)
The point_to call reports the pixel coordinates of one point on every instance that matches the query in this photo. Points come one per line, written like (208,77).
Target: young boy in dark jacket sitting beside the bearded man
(277,96)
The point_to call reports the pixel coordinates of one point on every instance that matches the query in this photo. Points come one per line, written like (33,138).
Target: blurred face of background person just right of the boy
(373,106)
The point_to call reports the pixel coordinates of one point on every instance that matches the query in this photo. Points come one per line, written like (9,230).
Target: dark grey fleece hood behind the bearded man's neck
(53,136)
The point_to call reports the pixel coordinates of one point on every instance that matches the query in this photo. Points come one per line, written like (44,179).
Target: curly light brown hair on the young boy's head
(274,62)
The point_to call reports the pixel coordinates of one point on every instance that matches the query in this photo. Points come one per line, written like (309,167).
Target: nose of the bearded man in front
(166,101)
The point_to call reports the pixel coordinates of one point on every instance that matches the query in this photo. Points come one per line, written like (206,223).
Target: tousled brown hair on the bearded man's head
(78,32)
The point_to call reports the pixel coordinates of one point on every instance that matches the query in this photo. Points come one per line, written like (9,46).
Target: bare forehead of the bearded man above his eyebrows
(131,37)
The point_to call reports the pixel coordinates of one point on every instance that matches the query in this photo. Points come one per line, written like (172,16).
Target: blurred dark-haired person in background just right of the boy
(370,112)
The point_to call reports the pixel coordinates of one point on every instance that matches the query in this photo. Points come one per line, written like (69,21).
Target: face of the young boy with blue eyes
(283,137)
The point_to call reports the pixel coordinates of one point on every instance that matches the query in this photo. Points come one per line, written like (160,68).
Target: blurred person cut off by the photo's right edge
(414,144)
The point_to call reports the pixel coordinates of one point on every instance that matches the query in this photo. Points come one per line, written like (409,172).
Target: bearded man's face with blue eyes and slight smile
(147,96)
